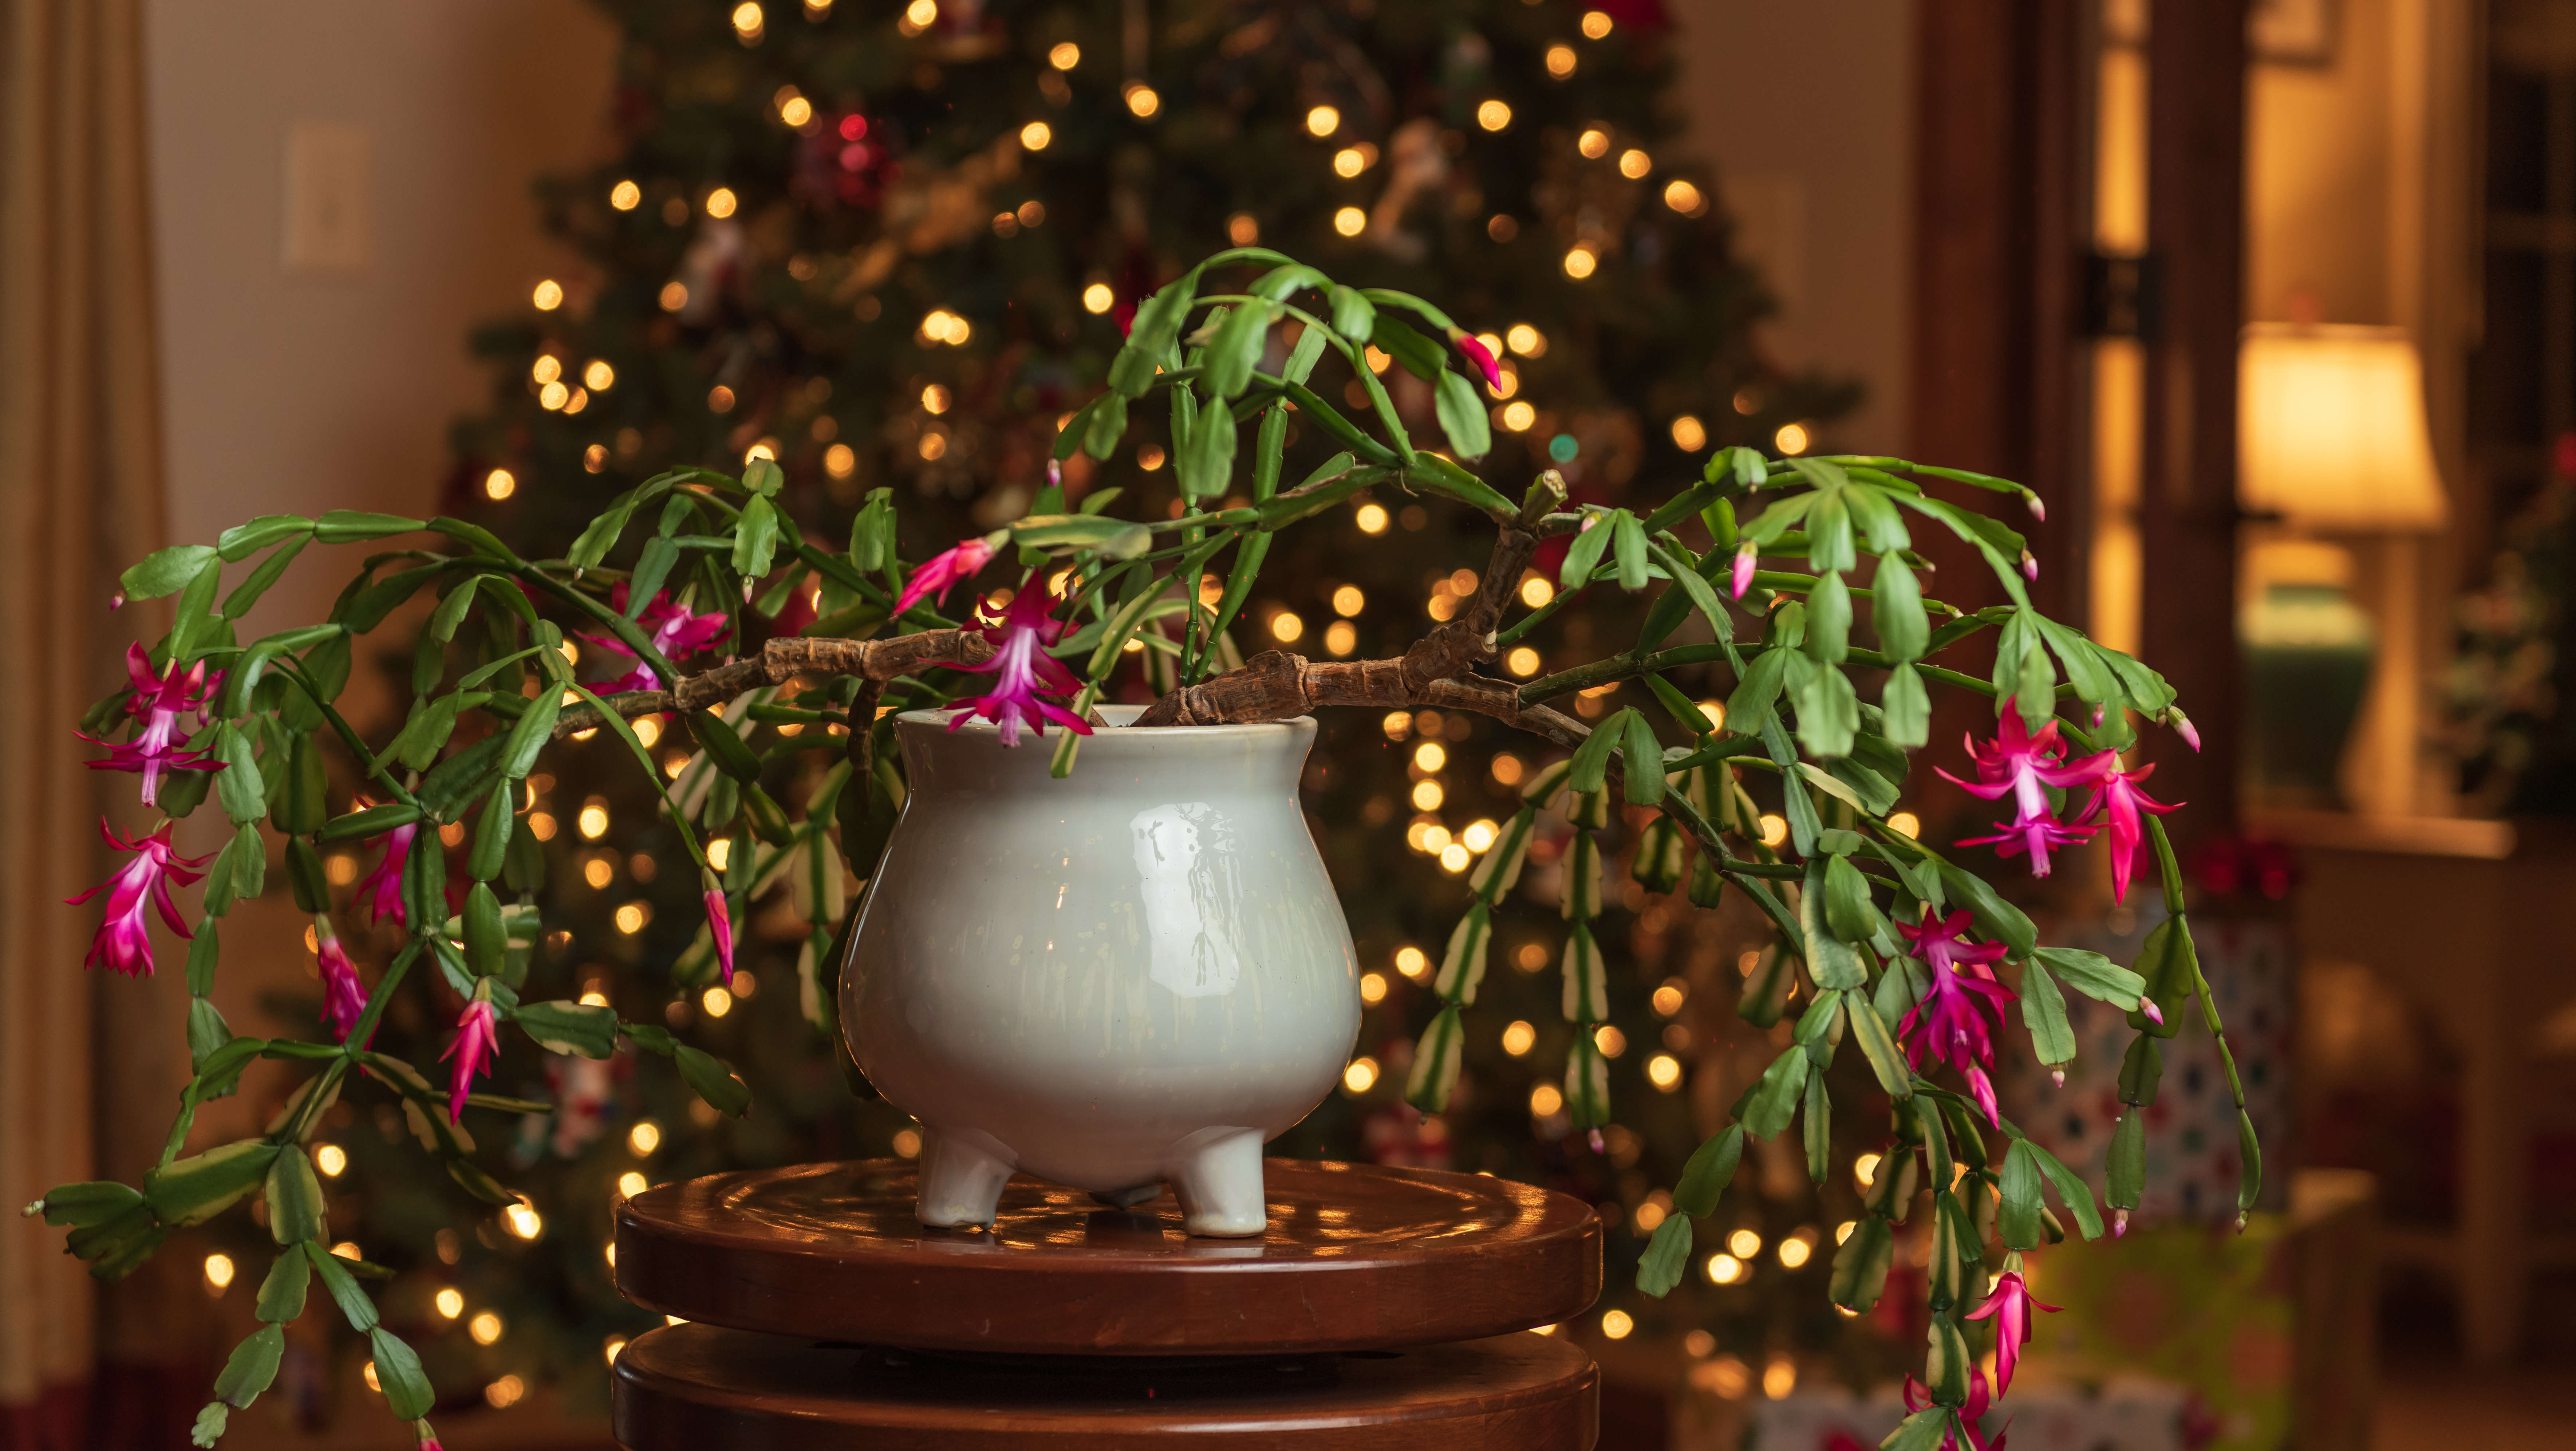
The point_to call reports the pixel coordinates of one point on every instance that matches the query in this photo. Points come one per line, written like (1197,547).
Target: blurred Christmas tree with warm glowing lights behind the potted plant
(890,246)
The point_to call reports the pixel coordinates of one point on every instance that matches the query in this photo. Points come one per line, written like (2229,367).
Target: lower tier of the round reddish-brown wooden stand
(699,1388)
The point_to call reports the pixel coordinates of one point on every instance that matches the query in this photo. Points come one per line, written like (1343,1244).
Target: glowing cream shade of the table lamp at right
(2330,429)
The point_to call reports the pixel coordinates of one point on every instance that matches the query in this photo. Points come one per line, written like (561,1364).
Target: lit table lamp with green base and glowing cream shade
(2330,439)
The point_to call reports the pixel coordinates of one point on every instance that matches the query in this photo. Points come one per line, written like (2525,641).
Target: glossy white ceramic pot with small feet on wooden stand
(1127,978)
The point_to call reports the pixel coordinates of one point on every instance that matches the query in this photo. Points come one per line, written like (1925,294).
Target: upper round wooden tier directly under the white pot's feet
(1356,1259)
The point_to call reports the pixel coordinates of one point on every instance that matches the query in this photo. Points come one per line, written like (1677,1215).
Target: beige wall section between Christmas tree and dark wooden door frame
(1807,112)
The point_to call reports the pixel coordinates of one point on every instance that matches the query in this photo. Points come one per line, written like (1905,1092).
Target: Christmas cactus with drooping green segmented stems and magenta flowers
(1748,576)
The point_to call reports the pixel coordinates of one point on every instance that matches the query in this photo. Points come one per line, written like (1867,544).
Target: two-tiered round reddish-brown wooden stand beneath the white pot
(1382,1311)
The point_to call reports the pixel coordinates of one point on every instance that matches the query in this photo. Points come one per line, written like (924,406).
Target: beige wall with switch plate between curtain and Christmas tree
(303,390)
